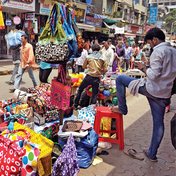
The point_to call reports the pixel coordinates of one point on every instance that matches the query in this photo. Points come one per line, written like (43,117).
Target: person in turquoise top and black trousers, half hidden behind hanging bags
(44,71)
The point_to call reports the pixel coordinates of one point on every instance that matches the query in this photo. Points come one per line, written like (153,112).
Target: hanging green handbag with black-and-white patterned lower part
(52,46)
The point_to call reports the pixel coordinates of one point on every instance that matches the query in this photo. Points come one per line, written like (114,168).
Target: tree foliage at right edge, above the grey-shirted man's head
(169,20)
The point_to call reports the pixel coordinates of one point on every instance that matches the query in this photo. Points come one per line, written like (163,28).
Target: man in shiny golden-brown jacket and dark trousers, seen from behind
(96,67)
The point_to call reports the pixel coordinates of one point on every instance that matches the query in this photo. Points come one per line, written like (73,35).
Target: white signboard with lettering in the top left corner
(26,5)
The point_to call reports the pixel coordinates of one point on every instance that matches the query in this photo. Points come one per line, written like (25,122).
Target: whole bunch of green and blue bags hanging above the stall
(58,41)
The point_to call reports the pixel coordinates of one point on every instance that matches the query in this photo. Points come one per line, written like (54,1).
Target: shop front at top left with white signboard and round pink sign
(13,14)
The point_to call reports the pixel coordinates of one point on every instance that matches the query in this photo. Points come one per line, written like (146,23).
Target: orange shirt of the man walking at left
(27,56)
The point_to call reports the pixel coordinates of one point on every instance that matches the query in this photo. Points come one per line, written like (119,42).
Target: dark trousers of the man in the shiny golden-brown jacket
(88,80)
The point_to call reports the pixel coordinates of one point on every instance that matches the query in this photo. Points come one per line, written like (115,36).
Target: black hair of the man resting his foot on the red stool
(155,32)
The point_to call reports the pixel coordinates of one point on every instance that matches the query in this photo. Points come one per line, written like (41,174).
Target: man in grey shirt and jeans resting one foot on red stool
(156,86)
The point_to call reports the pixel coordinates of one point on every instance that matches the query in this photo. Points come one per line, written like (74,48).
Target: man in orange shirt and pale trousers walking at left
(27,63)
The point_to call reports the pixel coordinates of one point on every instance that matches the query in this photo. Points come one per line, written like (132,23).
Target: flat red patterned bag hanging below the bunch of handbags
(60,92)
